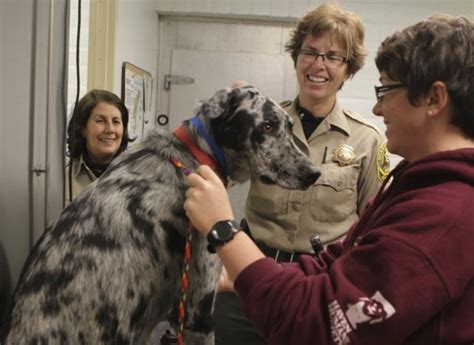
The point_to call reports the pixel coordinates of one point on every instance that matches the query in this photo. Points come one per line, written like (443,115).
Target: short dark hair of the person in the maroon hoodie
(440,48)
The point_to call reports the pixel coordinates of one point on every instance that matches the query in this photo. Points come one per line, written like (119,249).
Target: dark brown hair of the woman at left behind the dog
(76,143)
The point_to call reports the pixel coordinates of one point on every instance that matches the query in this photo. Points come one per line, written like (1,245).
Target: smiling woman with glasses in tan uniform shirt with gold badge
(327,48)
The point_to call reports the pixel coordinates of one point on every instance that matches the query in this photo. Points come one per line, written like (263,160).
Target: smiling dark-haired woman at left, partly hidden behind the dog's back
(97,132)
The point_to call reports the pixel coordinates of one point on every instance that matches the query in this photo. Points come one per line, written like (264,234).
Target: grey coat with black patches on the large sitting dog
(109,269)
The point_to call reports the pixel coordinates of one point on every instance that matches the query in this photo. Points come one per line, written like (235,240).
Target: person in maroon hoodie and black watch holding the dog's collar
(405,272)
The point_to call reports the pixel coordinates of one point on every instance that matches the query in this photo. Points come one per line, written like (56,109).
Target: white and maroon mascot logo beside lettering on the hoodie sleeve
(372,310)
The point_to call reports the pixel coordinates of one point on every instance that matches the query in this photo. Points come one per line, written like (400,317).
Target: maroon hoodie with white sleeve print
(404,274)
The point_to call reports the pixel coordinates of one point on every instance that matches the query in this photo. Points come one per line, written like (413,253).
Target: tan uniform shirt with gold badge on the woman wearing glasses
(285,219)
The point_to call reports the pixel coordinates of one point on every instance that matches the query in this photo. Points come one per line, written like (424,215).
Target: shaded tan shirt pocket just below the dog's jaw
(267,200)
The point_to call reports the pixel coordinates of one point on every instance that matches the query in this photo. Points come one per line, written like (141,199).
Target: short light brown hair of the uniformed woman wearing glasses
(346,27)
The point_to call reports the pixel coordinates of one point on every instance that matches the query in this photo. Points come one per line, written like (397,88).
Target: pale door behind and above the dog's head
(213,70)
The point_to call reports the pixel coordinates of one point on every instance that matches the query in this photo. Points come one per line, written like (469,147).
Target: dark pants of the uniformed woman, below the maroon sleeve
(231,325)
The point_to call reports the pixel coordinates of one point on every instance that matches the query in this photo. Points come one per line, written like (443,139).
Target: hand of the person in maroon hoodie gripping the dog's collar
(207,201)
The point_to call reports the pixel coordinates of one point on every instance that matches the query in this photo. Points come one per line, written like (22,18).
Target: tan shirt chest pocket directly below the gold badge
(334,194)
